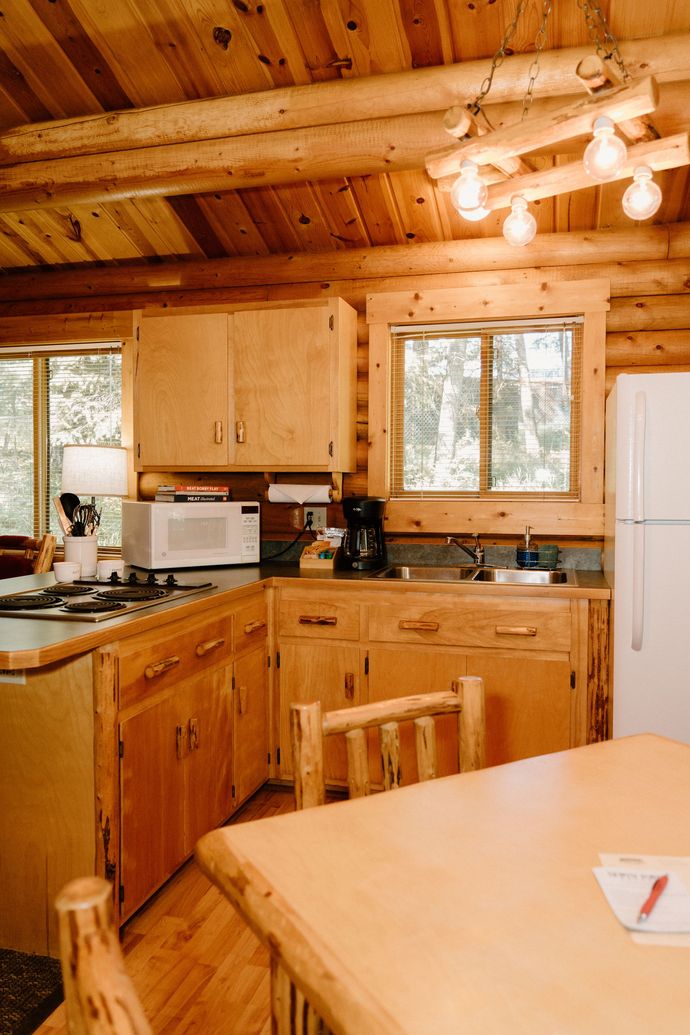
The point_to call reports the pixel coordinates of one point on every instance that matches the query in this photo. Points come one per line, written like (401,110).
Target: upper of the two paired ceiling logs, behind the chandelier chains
(324,104)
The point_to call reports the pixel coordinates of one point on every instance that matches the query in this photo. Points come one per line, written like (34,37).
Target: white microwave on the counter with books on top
(190,536)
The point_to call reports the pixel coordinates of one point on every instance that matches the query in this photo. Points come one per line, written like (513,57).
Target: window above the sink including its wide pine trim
(487,406)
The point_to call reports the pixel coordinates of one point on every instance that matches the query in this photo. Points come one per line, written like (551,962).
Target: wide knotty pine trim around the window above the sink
(589,299)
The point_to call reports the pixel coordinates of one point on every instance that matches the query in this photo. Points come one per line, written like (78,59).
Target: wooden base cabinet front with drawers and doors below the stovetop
(193,741)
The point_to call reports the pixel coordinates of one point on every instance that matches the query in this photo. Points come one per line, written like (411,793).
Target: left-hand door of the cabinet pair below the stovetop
(154,745)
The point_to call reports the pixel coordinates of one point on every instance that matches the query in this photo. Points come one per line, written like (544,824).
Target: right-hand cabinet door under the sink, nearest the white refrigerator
(528,705)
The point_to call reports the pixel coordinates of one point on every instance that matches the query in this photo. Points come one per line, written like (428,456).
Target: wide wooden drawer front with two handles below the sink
(537,626)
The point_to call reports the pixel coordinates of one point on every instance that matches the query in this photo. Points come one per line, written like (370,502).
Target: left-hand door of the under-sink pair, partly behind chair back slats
(395,672)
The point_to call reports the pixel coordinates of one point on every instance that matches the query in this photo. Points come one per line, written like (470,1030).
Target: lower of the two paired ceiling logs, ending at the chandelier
(370,147)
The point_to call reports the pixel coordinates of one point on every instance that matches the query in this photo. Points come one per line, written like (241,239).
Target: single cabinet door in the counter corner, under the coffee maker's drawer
(329,673)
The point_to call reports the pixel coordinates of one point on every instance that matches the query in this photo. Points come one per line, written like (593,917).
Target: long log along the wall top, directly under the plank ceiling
(248,277)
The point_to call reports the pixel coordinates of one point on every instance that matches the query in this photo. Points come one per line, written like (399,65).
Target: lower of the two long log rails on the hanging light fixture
(670,153)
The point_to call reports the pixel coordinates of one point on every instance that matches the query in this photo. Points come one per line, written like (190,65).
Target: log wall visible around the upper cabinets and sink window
(648,327)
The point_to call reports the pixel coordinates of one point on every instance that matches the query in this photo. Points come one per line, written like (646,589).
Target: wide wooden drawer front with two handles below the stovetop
(154,661)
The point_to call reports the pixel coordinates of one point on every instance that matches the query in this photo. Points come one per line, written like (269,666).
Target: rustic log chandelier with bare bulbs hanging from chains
(494,174)
